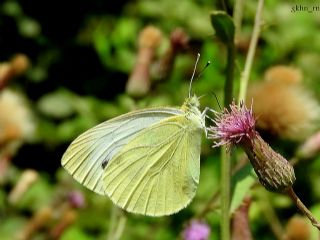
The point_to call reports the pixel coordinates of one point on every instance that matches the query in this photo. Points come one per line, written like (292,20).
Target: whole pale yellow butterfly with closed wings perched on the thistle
(146,161)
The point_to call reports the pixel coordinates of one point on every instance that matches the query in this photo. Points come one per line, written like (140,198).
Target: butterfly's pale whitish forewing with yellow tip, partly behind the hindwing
(87,156)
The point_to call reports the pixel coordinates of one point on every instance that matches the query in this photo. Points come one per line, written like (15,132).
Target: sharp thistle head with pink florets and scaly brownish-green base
(237,127)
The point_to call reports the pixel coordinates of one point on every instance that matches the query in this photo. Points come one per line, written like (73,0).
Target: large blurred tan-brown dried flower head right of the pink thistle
(282,106)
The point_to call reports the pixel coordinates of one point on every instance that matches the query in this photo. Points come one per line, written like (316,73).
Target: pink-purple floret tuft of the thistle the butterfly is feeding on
(232,125)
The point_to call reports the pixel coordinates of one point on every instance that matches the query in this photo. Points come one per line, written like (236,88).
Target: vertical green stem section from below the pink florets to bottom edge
(225,193)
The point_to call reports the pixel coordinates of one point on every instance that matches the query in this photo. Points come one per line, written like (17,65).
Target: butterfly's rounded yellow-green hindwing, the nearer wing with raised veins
(157,172)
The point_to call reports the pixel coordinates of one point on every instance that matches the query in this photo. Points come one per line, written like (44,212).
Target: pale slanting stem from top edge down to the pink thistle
(250,56)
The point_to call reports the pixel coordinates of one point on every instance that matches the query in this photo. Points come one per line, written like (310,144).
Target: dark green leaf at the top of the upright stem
(223,25)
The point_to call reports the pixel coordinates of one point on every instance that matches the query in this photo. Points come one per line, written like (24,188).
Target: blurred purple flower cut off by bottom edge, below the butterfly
(196,230)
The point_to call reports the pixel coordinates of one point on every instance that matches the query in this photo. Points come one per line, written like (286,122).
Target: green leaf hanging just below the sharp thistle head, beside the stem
(242,182)
